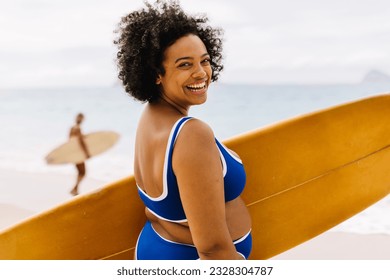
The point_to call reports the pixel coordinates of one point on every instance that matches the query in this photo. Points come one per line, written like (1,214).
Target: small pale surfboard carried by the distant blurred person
(71,151)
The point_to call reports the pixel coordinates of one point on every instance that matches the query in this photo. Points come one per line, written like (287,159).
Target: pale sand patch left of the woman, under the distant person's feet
(23,194)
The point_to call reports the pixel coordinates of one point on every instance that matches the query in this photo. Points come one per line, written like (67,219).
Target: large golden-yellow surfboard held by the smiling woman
(304,176)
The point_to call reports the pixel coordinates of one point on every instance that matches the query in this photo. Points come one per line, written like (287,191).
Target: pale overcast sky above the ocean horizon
(46,43)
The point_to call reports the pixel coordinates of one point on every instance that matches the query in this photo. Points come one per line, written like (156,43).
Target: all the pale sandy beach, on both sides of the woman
(24,194)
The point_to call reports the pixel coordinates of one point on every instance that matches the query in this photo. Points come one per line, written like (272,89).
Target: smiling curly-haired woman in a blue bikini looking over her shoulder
(189,182)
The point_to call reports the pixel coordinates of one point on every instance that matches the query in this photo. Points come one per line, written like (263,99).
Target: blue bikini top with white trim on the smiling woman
(168,205)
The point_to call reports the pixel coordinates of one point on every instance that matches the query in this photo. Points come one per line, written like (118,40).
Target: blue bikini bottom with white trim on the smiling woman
(152,246)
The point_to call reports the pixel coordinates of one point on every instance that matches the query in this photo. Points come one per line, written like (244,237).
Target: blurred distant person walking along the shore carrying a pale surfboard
(75,131)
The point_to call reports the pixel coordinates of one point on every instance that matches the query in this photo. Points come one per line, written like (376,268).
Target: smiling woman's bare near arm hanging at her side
(198,168)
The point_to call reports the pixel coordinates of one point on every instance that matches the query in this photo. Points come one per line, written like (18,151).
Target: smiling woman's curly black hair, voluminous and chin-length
(145,34)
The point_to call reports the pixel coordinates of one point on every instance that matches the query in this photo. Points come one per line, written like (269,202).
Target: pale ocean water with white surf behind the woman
(34,121)
